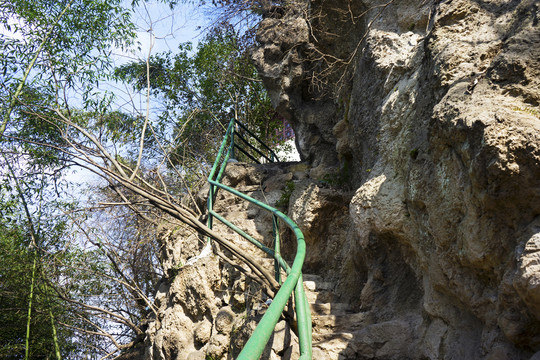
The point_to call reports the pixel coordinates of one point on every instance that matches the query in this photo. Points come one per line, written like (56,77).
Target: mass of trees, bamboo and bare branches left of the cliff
(79,268)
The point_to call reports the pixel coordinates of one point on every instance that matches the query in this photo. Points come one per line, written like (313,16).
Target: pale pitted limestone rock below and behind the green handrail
(207,308)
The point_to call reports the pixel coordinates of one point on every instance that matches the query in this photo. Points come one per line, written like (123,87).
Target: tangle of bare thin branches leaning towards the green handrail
(147,198)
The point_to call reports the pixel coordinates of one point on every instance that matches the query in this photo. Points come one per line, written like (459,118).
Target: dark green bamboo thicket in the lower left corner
(23,281)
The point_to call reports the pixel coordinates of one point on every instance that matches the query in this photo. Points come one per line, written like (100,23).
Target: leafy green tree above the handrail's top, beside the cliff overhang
(202,89)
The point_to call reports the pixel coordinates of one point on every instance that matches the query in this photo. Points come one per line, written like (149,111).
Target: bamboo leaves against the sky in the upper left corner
(79,48)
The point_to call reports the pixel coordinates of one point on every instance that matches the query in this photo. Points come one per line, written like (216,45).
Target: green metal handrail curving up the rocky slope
(257,342)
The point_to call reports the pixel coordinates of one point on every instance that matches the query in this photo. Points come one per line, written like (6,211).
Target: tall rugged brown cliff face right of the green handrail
(433,124)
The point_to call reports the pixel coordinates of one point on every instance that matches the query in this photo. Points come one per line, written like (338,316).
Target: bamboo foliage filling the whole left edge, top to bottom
(53,54)
